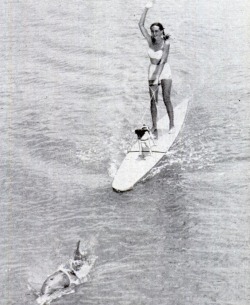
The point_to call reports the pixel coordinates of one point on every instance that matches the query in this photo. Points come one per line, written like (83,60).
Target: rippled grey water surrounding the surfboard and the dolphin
(73,86)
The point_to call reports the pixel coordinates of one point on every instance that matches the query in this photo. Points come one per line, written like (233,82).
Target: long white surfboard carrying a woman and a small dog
(133,167)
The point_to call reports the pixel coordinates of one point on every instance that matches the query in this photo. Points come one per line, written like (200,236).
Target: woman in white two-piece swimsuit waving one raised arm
(159,72)
